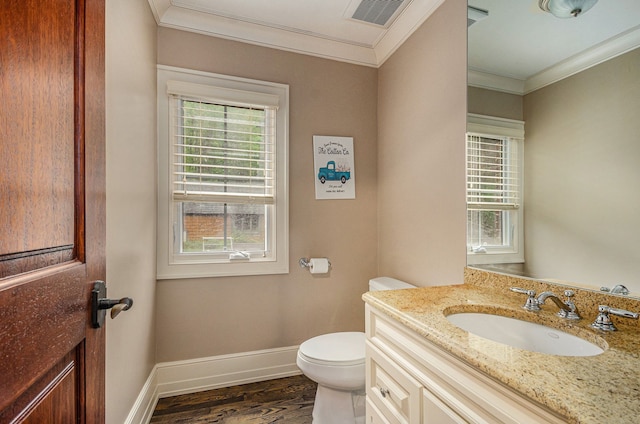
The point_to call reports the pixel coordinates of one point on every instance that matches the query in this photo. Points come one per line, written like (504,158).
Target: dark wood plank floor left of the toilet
(286,400)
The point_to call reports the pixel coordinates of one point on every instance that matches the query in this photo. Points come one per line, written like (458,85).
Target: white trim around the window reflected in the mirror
(493,126)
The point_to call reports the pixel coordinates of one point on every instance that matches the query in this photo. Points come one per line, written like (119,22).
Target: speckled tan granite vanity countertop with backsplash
(594,389)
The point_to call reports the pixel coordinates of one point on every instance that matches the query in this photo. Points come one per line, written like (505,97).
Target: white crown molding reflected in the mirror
(600,53)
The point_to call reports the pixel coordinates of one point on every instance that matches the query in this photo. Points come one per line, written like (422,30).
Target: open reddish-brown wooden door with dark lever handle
(52,210)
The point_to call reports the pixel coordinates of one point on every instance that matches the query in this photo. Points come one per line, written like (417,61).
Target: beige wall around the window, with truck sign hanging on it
(215,316)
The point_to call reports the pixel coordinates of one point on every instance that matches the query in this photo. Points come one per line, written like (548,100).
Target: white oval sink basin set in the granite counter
(523,334)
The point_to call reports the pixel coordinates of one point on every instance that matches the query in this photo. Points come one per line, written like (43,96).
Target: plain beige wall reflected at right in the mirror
(583,176)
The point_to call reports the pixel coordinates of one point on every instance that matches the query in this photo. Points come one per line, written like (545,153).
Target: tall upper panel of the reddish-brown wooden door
(37,121)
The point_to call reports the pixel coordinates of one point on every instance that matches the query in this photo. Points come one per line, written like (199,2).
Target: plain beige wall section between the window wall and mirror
(421,153)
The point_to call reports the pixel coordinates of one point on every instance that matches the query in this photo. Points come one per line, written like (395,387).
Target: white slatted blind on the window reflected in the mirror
(493,174)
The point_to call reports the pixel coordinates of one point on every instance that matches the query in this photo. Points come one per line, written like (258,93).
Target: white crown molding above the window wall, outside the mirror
(170,14)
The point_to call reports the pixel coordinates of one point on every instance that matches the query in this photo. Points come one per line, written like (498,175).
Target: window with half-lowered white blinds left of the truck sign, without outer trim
(223,176)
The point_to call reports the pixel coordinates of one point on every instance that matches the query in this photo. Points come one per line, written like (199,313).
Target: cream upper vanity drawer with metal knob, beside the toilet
(394,392)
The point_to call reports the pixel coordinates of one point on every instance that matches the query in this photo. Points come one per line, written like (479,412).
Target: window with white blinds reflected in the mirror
(494,192)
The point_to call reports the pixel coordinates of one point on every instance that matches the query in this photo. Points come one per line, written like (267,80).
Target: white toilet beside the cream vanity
(336,362)
